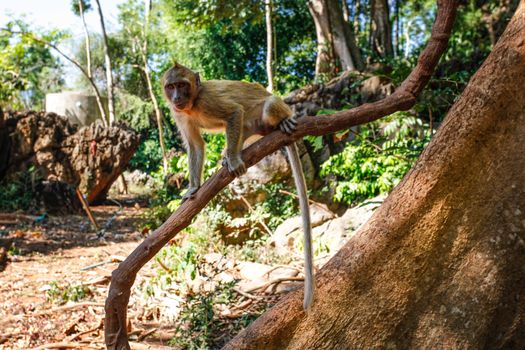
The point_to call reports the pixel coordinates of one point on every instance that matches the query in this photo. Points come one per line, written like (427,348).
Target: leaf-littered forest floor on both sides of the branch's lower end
(55,273)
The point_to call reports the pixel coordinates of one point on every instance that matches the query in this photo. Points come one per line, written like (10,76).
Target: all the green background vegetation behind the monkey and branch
(226,39)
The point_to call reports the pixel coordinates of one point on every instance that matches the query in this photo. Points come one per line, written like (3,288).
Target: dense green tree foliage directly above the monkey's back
(217,38)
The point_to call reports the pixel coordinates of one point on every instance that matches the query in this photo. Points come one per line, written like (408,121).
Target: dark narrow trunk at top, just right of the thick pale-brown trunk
(381,31)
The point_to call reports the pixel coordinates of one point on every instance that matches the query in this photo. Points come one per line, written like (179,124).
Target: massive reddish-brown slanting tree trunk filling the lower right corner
(440,264)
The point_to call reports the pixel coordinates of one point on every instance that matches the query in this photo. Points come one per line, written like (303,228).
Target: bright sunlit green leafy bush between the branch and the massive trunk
(377,159)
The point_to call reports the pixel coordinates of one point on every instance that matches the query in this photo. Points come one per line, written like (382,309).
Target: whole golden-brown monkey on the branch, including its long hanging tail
(241,110)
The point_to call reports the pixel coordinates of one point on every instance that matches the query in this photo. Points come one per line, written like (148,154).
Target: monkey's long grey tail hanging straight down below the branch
(300,184)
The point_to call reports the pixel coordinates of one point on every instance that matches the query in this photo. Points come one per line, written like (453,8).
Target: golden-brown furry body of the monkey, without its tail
(241,109)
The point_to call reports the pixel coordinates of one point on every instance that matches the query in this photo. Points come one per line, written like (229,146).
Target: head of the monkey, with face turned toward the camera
(181,87)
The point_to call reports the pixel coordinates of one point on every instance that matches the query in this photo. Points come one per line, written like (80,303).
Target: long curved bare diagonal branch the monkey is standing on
(402,99)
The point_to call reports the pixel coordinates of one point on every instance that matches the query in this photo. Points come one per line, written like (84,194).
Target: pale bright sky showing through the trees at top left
(50,14)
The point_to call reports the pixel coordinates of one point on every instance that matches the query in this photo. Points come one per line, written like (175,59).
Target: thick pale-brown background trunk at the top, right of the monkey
(335,38)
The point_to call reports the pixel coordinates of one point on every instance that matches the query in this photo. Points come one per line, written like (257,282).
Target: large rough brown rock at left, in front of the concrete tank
(90,158)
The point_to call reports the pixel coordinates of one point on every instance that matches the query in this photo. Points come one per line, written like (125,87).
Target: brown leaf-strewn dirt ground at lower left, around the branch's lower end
(42,257)
